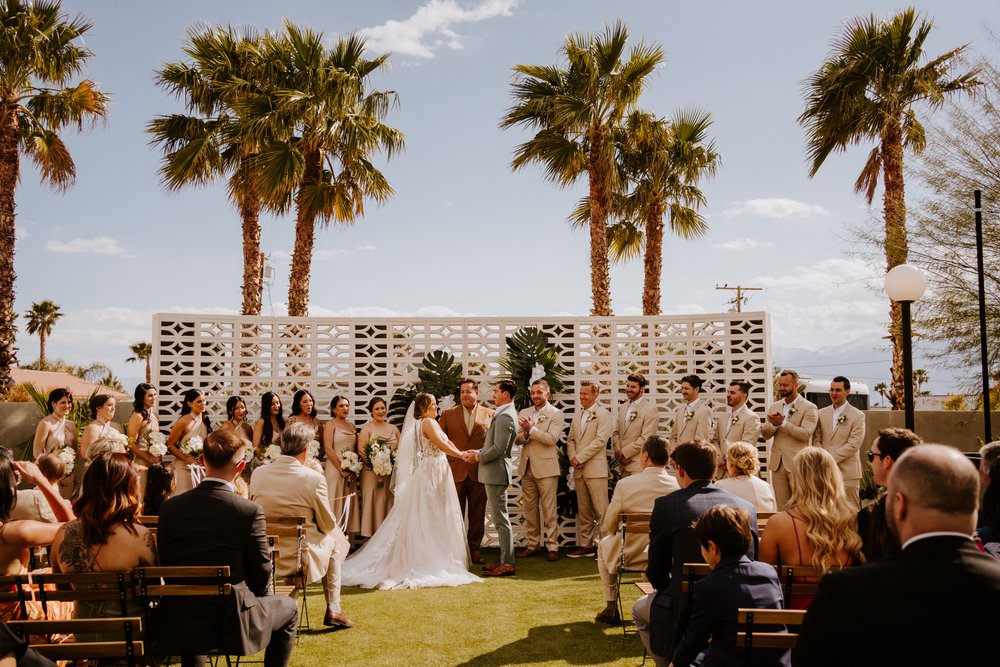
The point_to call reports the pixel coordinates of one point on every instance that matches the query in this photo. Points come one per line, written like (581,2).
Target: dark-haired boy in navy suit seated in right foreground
(735,581)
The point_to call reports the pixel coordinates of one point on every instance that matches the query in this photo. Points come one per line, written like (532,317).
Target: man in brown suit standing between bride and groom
(466,425)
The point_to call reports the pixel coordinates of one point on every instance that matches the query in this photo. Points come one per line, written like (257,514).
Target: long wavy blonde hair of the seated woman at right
(818,499)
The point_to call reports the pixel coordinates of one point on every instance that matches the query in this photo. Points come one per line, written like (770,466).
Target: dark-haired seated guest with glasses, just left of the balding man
(876,538)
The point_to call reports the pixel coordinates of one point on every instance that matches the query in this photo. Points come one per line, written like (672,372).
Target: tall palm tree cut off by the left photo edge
(41,49)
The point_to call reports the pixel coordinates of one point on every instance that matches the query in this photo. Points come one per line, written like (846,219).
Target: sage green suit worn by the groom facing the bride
(495,474)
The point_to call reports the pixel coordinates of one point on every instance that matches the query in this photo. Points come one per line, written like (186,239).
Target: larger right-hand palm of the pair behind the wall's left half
(324,126)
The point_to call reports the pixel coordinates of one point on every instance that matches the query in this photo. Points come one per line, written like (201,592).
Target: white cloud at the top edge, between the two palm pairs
(429,28)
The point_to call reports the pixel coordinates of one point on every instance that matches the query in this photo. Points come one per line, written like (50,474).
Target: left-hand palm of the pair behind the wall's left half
(206,143)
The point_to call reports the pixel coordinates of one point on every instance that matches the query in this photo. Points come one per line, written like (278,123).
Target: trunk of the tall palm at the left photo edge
(9,166)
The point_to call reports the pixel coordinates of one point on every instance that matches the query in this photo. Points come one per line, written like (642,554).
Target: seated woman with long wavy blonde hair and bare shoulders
(818,525)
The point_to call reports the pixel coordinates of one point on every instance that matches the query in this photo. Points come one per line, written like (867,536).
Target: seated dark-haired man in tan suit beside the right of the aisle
(636,493)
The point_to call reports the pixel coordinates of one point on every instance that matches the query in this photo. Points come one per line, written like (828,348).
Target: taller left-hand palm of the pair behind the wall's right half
(575,108)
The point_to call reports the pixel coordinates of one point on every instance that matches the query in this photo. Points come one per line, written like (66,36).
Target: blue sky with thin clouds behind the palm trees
(463,234)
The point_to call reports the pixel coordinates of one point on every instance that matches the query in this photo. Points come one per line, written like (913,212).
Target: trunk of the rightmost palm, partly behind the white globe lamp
(896,248)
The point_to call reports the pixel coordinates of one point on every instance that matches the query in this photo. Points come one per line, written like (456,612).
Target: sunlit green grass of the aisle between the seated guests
(542,616)
